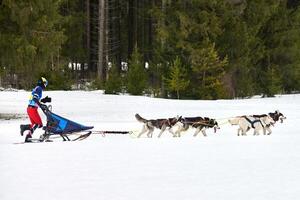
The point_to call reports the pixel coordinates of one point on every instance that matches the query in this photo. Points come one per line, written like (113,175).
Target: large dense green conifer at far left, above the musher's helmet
(30,38)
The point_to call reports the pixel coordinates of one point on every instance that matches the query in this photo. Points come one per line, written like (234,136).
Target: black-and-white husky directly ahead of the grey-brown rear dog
(201,124)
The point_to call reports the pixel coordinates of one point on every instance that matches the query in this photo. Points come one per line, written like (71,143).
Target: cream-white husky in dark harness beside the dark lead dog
(257,122)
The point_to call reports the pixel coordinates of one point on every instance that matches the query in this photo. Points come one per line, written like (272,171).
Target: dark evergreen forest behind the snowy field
(185,49)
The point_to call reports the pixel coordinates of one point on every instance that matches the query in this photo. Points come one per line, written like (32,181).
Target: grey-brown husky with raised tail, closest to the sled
(162,124)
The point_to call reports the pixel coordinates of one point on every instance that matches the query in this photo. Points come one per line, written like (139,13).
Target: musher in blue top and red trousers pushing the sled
(32,109)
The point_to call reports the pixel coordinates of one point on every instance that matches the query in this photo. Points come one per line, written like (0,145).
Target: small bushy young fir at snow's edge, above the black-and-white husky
(178,78)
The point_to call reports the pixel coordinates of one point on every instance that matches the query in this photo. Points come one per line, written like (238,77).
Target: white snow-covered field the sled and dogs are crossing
(220,166)
